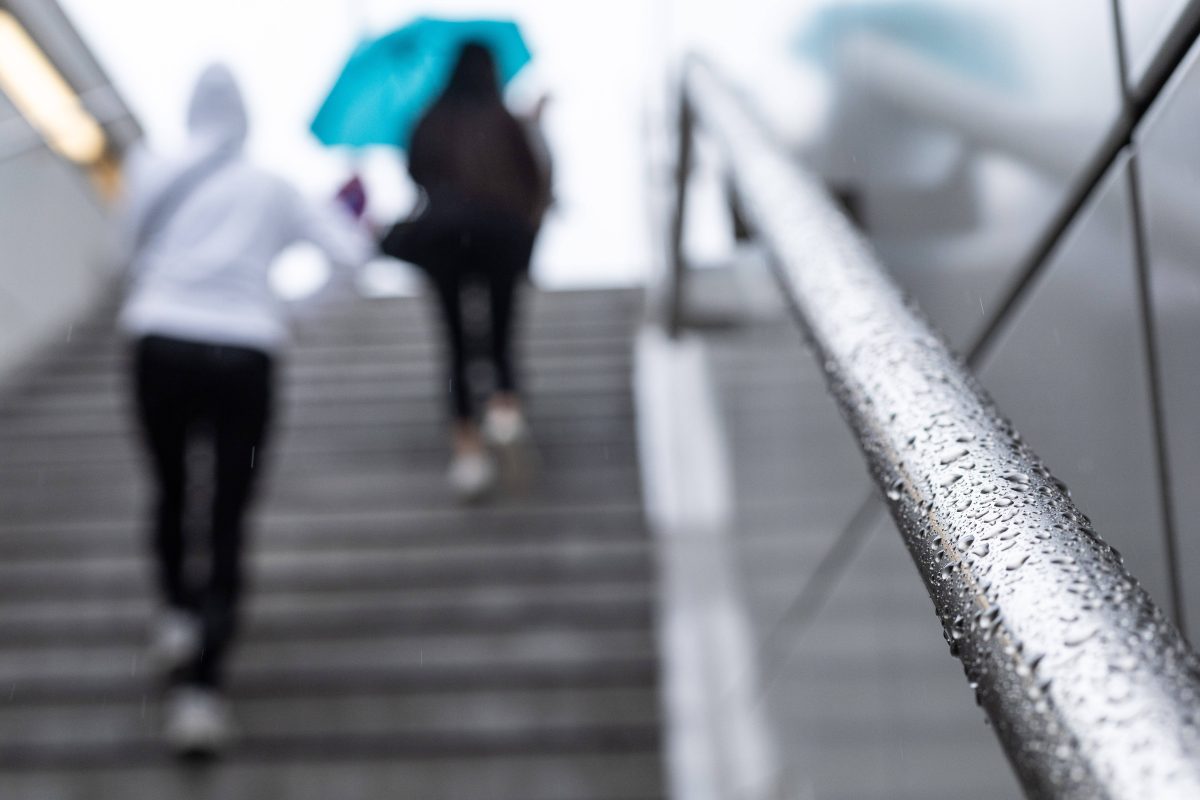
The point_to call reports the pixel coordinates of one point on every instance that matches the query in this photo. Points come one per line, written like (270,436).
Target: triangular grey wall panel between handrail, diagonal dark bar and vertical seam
(1070,369)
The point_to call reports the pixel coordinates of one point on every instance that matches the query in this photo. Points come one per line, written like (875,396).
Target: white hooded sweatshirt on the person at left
(200,270)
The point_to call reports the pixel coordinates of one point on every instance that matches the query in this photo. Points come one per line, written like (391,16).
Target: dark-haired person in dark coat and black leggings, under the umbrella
(484,200)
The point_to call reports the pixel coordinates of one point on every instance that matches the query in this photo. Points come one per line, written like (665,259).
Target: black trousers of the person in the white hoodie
(187,390)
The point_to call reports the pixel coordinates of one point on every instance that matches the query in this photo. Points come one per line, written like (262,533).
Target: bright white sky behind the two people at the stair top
(593,59)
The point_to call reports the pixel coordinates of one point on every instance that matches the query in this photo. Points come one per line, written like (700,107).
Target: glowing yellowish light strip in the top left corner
(44,97)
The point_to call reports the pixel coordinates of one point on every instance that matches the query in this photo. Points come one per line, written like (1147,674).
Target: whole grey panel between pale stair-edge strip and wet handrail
(861,697)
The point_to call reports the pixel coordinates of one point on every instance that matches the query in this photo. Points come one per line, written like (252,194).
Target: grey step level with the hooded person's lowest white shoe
(64,735)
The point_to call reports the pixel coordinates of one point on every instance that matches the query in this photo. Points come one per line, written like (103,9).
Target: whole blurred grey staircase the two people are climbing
(395,645)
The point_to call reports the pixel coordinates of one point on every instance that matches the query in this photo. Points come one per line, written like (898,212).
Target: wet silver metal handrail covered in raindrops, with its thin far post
(1091,690)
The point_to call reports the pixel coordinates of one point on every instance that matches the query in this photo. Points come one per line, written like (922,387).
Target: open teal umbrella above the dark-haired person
(389,82)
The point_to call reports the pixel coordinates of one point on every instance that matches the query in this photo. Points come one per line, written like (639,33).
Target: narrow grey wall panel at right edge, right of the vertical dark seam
(1169,169)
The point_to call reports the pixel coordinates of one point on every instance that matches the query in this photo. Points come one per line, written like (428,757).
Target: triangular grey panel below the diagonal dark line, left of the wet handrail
(872,701)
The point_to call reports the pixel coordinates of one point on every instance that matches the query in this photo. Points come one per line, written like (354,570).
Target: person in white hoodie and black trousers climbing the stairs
(200,232)
